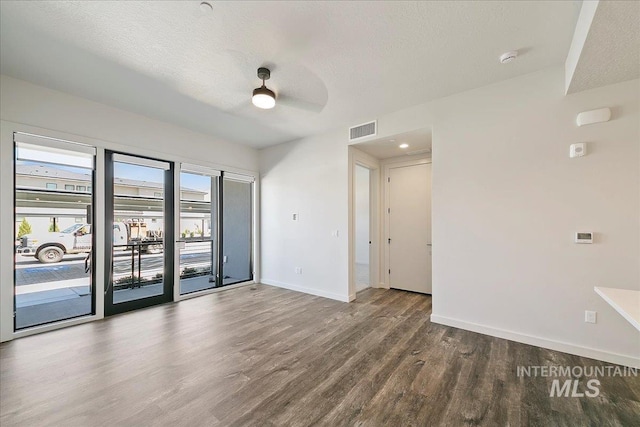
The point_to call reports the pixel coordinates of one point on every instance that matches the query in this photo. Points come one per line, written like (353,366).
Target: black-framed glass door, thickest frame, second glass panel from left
(139,214)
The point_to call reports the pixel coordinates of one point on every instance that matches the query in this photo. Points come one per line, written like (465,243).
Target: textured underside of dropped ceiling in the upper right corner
(611,53)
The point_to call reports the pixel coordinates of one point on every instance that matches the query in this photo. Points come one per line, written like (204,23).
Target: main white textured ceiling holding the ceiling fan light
(333,63)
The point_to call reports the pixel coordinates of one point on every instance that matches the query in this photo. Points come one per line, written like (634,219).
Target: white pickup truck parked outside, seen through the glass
(50,247)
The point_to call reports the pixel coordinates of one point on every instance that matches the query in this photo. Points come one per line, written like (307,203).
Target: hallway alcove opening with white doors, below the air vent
(397,229)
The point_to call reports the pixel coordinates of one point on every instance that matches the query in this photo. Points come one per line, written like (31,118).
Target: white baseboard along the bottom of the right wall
(577,350)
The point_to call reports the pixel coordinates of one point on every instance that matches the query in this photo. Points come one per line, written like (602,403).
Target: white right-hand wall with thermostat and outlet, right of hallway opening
(507,200)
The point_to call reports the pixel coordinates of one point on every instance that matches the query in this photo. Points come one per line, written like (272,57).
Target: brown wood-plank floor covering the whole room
(267,356)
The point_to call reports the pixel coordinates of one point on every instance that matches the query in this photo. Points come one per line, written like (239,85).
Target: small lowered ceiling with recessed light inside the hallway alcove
(419,142)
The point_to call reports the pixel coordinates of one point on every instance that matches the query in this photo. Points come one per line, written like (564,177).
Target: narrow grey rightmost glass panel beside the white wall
(236,231)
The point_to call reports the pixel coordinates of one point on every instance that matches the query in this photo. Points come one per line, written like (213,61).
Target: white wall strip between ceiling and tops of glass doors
(23,102)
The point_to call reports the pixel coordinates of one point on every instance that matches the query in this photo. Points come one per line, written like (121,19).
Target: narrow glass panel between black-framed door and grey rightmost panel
(197,241)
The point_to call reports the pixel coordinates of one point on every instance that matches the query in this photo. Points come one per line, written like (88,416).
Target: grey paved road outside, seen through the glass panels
(30,271)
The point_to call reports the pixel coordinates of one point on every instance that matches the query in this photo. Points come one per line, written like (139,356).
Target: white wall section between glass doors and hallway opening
(307,177)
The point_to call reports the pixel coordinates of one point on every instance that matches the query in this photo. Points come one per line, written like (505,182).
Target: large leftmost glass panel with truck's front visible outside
(54,240)
